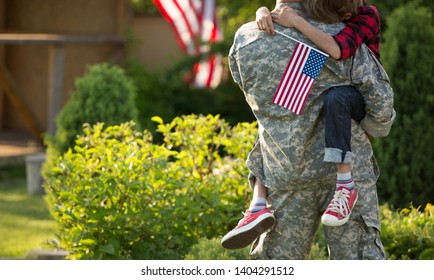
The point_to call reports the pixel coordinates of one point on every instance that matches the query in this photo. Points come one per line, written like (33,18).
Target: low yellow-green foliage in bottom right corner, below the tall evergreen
(408,233)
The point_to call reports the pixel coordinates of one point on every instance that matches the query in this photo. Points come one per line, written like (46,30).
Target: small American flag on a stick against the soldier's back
(303,68)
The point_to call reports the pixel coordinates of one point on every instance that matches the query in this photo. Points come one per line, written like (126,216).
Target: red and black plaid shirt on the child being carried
(363,27)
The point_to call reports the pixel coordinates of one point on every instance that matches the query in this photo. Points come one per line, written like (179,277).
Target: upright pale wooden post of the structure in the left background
(56,64)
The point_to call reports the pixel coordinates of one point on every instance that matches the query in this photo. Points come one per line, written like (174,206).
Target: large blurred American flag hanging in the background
(195,25)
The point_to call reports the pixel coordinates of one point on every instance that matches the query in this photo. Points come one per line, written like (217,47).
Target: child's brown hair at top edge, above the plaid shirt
(331,11)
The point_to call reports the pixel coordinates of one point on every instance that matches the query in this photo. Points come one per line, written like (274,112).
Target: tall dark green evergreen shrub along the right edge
(405,156)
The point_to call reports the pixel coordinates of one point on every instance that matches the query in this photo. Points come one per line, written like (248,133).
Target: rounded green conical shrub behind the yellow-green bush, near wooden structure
(103,94)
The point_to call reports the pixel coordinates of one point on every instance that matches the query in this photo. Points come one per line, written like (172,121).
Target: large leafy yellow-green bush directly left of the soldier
(117,195)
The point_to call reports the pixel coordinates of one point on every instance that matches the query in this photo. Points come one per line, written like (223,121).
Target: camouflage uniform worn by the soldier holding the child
(288,156)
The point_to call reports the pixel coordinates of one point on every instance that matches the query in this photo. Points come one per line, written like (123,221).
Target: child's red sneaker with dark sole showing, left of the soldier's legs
(248,229)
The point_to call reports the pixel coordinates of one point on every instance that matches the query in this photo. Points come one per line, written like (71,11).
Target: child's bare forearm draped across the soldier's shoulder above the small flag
(289,18)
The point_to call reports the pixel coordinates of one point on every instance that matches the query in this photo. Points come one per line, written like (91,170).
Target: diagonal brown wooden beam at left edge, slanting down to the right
(8,88)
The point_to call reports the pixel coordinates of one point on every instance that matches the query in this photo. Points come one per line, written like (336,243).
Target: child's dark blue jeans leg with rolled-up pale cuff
(341,105)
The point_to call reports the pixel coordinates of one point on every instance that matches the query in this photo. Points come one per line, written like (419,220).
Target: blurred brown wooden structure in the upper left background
(44,46)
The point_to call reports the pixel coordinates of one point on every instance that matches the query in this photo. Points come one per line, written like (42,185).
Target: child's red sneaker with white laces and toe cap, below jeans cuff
(339,210)
